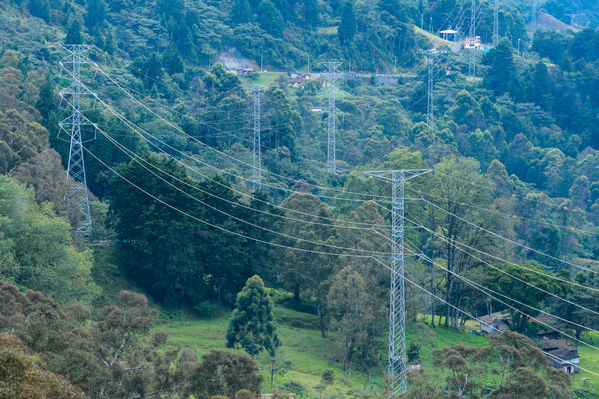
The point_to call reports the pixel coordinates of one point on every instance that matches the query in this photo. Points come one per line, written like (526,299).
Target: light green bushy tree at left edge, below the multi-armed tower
(38,248)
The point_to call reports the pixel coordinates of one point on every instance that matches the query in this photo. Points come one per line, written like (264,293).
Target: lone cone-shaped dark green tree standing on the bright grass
(251,325)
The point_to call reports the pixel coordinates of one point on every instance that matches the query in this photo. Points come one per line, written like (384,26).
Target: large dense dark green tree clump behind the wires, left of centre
(177,258)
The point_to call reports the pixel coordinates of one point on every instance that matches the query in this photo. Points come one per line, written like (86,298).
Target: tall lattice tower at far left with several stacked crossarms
(72,126)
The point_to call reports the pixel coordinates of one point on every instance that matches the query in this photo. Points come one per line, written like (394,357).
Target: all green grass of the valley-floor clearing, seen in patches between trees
(309,353)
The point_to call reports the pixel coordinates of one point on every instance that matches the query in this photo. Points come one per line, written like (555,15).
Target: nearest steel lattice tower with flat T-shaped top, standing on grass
(397,302)
